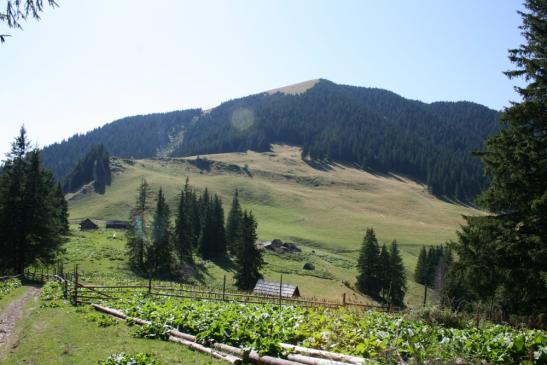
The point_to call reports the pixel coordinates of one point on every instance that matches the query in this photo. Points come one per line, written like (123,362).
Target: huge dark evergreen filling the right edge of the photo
(511,243)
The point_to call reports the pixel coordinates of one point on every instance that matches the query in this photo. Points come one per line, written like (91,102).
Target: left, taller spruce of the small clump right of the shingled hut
(368,280)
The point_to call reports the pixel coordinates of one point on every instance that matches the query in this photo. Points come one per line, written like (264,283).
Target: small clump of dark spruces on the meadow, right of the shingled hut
(381,271)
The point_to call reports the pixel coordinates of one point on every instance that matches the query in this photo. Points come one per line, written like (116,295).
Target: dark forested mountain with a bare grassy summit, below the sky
(374,129)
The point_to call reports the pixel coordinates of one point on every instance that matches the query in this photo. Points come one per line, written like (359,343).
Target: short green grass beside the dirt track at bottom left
(62,335)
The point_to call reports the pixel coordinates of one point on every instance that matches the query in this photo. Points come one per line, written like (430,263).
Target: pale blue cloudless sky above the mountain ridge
(89,62)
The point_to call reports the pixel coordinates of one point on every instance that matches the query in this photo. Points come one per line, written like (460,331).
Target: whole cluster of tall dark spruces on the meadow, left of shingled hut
(161,249)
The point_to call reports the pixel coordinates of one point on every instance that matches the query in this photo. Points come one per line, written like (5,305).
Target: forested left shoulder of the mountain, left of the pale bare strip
(138,136)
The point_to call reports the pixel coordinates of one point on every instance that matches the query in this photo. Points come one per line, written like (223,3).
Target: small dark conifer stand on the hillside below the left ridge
(94,166)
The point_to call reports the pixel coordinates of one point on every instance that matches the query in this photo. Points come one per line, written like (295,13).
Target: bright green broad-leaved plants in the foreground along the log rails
(375,335)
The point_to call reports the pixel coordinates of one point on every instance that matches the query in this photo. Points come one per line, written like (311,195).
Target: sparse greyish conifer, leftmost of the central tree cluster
(137,236)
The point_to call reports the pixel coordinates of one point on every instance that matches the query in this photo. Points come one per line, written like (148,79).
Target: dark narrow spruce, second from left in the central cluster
(159,255)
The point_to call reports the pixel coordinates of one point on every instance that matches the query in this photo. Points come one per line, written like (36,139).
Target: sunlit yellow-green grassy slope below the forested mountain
(325,209)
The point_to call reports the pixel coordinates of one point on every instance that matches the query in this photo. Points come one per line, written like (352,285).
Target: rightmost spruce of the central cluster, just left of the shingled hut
(249,259)
